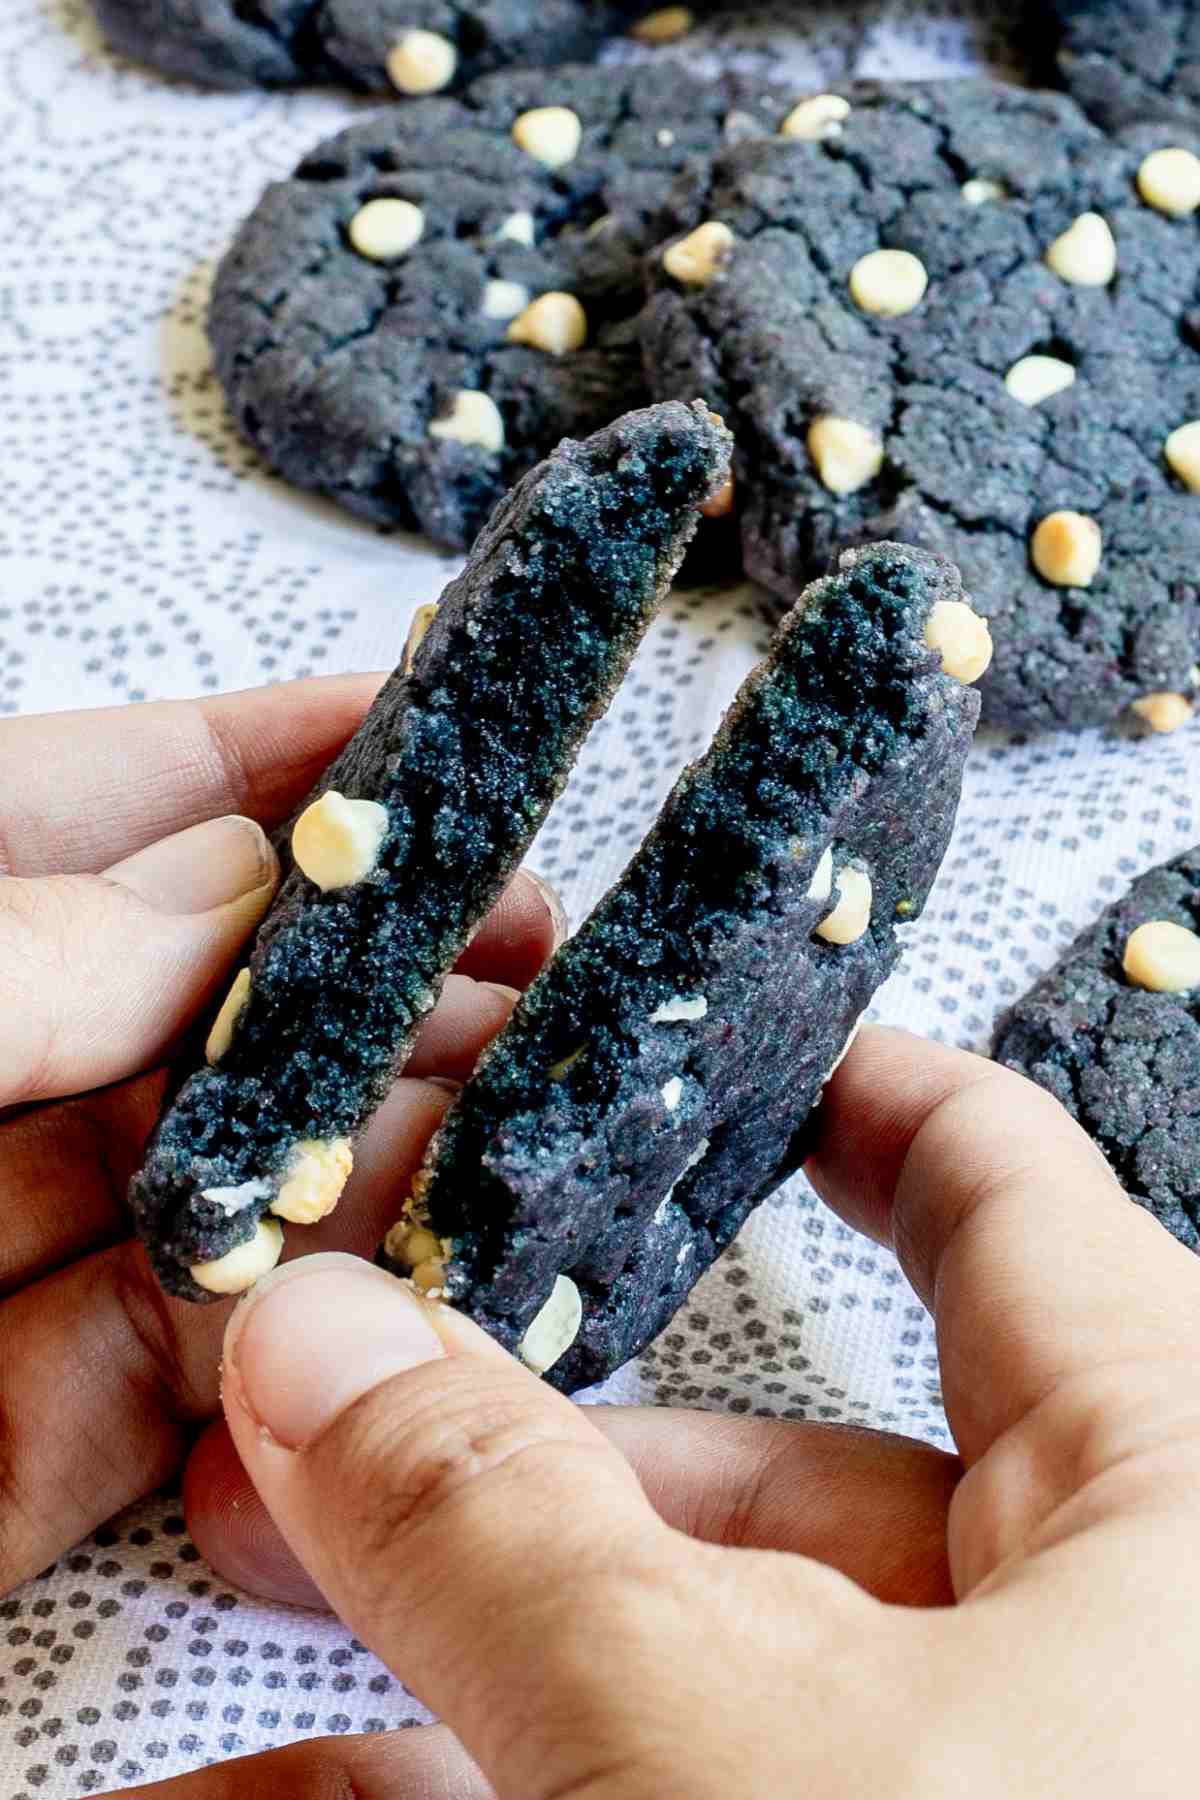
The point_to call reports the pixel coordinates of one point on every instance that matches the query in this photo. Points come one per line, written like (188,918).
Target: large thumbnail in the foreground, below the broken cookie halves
(318,1335)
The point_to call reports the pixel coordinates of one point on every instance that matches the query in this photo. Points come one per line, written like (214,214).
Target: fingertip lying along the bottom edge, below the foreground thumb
(424,1765)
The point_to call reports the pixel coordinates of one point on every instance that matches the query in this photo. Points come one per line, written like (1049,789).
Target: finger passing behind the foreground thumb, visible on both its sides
(866,1504)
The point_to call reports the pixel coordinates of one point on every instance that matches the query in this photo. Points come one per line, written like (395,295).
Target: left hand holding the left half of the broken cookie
(127,899)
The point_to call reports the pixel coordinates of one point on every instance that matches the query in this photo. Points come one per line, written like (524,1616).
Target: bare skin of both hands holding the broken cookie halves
(602,1605)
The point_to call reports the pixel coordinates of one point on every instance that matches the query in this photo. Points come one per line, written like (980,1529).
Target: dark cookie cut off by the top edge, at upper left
(381,46)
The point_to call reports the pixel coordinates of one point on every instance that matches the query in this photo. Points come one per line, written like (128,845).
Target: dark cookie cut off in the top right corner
(1131,60)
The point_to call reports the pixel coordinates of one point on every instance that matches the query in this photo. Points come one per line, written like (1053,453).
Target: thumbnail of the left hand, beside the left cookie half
(201,868)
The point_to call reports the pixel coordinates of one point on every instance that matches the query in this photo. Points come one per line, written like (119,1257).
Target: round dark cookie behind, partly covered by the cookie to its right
(443,292)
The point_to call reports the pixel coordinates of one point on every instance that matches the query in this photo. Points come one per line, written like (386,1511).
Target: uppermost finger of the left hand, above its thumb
(87,789)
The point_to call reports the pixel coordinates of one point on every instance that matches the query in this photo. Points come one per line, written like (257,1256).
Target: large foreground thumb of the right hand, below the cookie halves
(465,1520)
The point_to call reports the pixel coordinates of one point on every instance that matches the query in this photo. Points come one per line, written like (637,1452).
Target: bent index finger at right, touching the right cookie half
(1008,1223)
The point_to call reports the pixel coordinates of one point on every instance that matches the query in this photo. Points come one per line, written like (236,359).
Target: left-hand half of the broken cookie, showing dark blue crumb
(465,753)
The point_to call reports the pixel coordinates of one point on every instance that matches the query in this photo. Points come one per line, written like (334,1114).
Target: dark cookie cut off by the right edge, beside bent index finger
(1115,1034)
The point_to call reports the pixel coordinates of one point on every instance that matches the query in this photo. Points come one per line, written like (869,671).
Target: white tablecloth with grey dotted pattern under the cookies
(147,553)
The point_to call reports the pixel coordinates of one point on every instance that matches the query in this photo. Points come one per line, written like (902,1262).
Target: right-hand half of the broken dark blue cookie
(658,1079)
